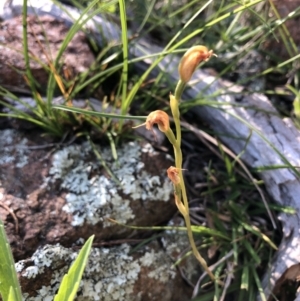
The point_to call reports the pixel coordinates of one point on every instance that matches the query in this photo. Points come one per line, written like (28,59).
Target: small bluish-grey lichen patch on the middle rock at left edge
(14,148)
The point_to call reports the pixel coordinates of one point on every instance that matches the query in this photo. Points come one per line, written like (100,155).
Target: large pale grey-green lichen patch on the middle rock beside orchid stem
(92,196)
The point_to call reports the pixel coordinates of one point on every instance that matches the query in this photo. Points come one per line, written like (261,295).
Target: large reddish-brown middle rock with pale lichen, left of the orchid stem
(71,194)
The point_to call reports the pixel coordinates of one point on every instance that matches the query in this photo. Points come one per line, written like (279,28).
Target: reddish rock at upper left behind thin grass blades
(45,37)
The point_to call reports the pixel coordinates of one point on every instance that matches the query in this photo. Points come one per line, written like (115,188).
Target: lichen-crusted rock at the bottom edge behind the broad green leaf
(111,274)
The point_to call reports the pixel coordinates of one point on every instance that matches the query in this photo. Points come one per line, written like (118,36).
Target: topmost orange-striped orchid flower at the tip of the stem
(190,61)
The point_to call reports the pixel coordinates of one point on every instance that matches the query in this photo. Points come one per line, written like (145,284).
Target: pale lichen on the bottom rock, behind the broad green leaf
(110,274)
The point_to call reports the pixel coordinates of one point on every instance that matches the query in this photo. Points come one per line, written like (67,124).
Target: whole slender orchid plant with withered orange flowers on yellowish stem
(189,62)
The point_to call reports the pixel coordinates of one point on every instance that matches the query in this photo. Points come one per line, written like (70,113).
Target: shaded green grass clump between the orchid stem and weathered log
(232,209)
